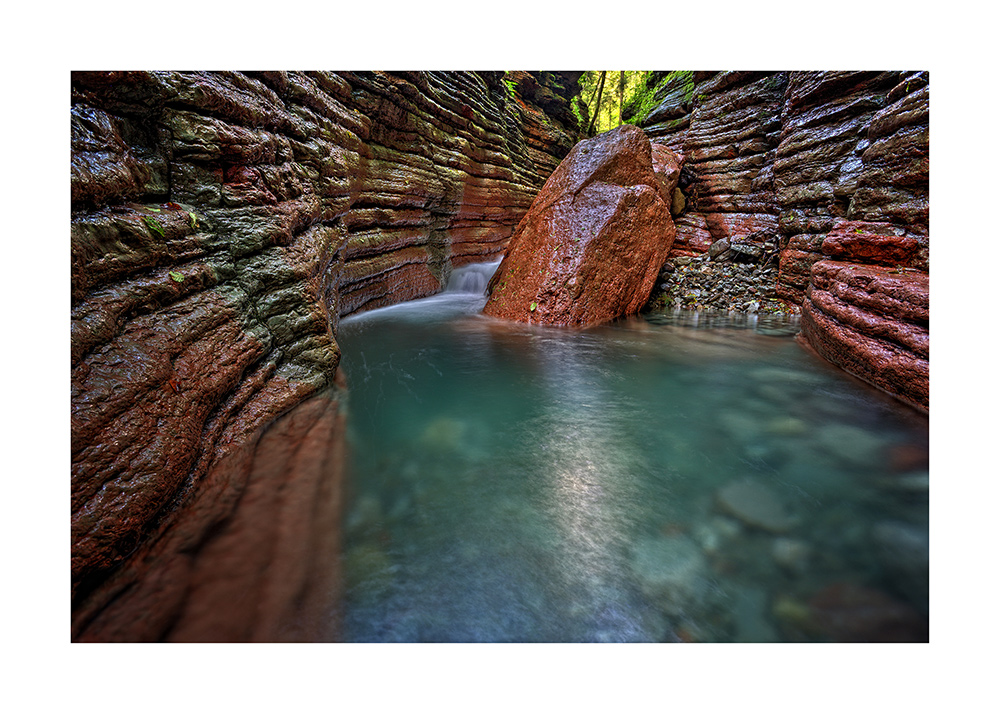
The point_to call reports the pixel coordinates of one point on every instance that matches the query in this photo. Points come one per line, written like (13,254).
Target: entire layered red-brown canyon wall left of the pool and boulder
(222,223)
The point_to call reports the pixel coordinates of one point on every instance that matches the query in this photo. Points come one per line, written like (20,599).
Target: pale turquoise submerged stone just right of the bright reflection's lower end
(671,571)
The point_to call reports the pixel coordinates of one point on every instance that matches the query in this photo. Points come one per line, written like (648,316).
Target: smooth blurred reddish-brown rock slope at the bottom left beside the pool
(250,556)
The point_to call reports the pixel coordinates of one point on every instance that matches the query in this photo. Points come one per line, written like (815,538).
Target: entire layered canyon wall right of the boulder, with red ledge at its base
(830,169)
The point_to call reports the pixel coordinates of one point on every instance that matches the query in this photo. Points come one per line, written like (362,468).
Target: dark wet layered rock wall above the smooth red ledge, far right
(836,163)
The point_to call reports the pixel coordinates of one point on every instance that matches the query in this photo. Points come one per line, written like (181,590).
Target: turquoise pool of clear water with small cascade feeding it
(672,477)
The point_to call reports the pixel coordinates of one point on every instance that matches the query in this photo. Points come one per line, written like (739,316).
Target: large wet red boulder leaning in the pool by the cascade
(591,245)
